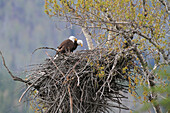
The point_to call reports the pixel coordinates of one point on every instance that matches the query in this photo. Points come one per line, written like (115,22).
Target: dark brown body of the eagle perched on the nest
(67,46)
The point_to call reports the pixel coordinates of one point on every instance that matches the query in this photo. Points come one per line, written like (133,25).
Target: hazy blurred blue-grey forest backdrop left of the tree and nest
(24,27)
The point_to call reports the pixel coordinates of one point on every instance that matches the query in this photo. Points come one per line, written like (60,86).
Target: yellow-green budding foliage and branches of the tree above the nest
(142,24)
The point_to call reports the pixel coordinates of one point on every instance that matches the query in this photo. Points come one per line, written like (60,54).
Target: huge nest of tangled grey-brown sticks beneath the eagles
(88,81)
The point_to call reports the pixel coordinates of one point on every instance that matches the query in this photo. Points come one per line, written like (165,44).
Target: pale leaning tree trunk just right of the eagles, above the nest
(88,38)
